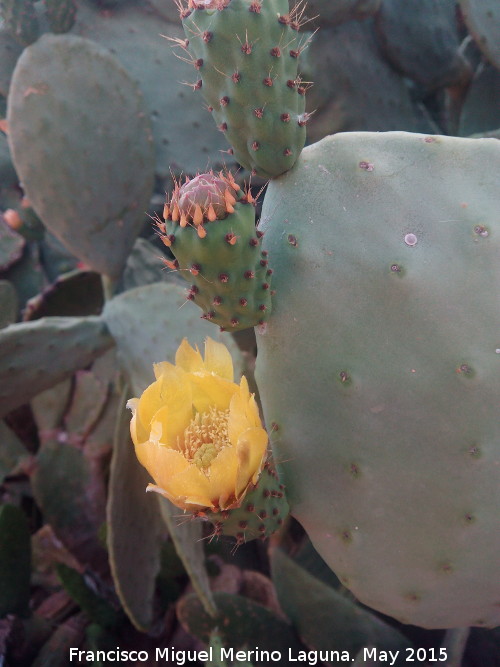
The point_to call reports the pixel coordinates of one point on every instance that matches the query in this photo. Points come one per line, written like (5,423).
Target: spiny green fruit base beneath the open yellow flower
(262,512)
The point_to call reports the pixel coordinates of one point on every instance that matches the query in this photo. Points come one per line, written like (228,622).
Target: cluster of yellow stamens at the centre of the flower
(205,436)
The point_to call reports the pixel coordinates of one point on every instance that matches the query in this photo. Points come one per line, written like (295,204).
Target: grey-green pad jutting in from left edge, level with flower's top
(37,355)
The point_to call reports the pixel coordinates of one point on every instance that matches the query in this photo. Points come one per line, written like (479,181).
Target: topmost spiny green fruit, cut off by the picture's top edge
(245,53)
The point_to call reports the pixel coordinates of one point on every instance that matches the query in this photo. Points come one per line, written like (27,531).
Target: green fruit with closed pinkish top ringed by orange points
(210,227)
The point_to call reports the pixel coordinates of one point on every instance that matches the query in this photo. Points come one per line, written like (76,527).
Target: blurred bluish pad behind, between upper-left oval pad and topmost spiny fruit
(184,134)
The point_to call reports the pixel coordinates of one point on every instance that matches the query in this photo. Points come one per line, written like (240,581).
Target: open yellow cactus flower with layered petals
(197,432)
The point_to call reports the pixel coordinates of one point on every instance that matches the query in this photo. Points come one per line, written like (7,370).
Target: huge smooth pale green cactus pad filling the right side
(385,249)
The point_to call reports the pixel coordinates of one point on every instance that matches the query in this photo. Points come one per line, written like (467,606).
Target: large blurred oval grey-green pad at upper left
(81,143)
